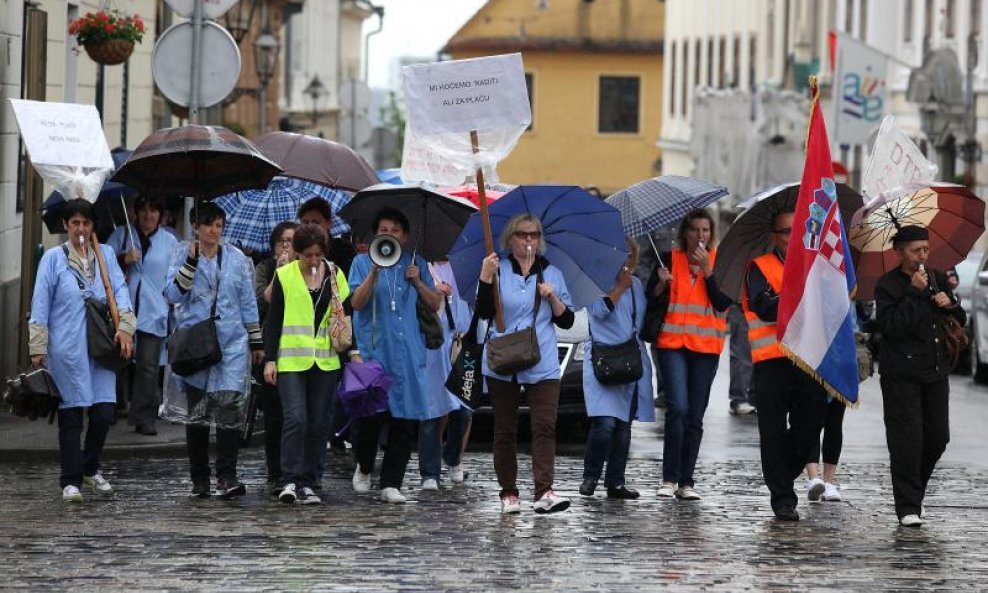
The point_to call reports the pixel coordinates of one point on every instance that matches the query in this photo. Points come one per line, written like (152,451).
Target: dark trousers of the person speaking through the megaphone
(402,434)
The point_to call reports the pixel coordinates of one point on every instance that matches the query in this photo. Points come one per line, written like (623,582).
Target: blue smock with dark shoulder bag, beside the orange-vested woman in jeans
(615,327)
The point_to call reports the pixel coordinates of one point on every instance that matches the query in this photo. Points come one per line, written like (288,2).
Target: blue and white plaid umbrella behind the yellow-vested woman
(253,214)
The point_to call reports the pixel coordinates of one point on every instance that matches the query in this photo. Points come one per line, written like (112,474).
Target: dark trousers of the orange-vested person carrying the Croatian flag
(791,407)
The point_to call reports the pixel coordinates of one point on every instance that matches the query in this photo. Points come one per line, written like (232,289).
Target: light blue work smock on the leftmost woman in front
(59,305)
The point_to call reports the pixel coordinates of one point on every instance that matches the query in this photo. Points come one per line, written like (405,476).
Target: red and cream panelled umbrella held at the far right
(954,217)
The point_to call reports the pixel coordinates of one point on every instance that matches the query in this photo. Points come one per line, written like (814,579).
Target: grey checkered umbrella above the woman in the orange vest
(650,205)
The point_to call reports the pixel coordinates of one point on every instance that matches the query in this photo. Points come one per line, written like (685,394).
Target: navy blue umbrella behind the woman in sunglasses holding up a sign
(582,233)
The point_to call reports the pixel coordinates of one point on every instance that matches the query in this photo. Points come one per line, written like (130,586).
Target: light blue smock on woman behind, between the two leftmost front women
(148,275)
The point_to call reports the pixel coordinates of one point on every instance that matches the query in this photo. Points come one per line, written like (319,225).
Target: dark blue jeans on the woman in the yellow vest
(305,396)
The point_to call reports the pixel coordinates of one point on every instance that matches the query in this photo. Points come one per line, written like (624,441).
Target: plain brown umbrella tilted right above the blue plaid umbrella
(318,160)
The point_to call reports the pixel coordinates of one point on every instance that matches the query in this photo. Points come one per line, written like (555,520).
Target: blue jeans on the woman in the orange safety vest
(688,376)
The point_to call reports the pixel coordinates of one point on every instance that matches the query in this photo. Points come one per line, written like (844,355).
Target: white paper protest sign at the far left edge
(62,134)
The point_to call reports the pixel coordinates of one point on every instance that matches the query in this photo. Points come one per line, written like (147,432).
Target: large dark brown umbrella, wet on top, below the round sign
(196,161)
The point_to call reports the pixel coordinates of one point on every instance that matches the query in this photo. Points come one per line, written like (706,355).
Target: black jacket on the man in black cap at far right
(913,344)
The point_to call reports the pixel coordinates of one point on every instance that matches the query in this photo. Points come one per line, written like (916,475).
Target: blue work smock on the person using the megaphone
(395,339)
